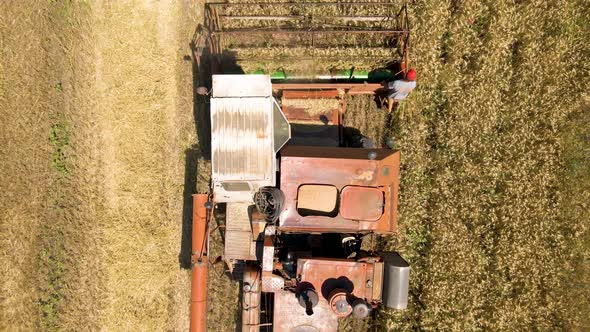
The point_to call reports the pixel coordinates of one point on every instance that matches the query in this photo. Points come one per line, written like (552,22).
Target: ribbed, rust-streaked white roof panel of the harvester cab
(242,143)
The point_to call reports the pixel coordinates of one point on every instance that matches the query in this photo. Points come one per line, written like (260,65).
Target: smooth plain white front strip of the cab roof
(241,86)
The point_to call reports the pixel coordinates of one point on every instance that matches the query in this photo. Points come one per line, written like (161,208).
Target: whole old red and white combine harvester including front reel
(299,199)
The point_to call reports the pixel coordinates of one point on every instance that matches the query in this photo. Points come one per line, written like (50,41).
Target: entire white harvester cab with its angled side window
(248,128)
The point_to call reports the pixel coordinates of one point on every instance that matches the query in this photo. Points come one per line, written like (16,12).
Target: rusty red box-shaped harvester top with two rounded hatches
(368,188)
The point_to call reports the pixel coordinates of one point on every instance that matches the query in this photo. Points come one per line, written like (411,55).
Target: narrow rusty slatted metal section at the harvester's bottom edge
(251,298)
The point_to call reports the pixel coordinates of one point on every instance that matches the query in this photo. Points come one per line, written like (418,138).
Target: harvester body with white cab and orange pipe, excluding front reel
(294,224)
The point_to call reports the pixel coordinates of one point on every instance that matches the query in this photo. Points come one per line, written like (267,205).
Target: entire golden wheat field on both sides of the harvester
(103,142)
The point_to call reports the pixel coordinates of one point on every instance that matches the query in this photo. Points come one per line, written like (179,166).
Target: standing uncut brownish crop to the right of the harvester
(489,222)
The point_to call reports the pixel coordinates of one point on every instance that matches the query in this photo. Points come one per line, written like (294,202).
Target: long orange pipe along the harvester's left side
(199,264)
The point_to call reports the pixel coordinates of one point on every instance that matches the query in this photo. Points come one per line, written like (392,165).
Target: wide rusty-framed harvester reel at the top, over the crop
(308,31)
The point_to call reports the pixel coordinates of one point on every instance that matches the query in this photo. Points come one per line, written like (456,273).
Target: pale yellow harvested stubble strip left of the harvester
(96,117)
